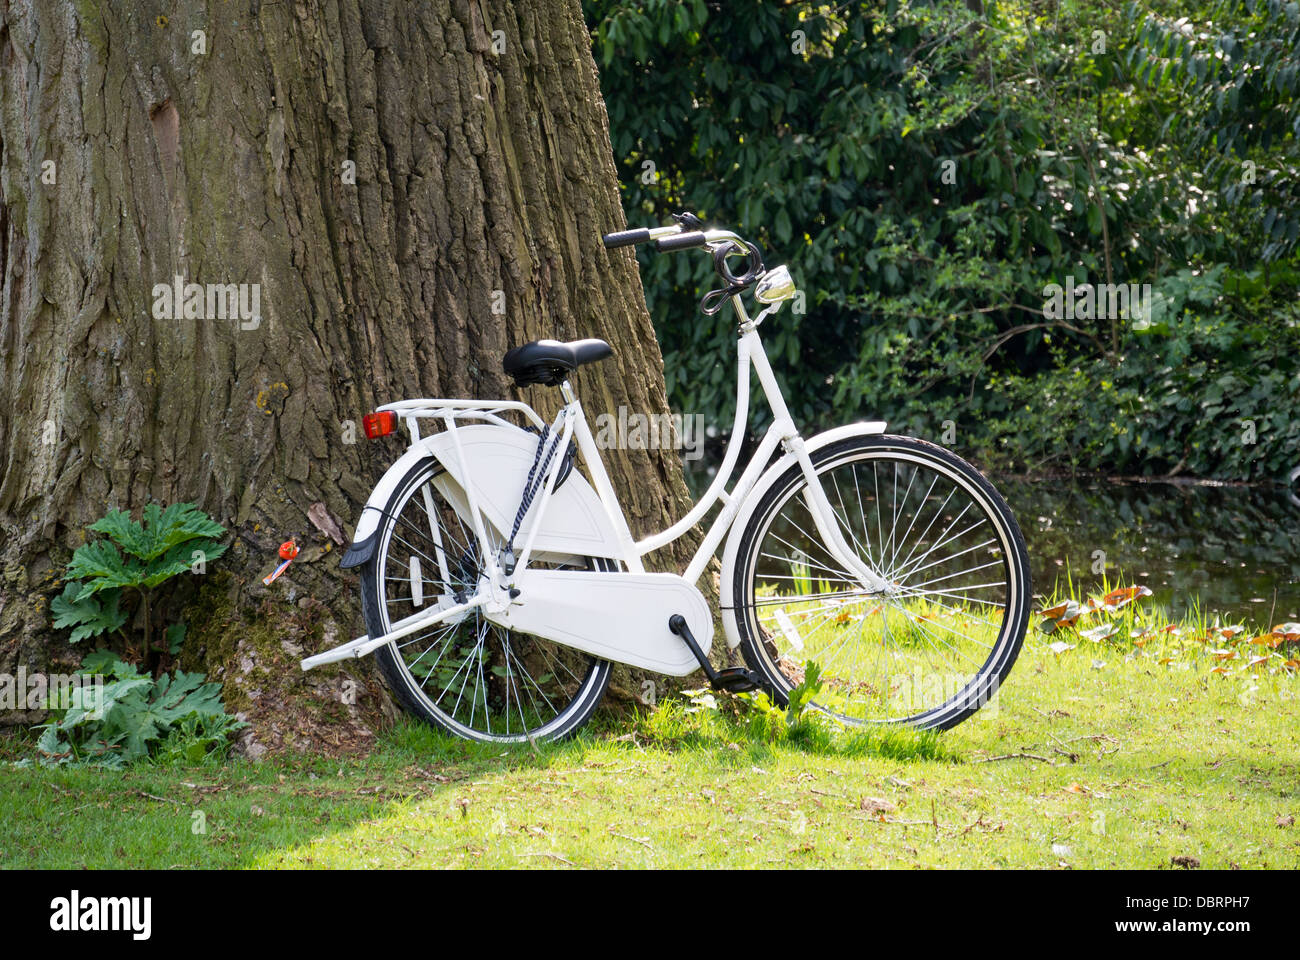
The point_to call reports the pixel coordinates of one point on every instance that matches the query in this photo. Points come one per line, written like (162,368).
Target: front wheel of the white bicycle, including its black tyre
(939,641)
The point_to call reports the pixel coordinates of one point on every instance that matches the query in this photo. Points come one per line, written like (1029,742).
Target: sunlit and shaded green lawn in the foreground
(1095,758)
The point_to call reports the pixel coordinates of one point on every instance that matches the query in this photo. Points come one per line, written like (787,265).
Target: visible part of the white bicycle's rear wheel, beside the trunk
(467,677)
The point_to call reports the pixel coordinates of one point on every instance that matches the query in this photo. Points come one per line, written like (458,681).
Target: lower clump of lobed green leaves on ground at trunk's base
(133,717)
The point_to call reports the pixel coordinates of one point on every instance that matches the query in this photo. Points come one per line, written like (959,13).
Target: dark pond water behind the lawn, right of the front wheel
(1233,550)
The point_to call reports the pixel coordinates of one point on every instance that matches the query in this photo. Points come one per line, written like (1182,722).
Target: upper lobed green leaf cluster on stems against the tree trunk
(136,557)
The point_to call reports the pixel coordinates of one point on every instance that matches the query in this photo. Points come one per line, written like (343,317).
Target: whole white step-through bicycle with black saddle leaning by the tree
(500,585)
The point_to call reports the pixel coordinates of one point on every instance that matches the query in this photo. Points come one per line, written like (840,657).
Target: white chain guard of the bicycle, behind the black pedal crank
(613,616)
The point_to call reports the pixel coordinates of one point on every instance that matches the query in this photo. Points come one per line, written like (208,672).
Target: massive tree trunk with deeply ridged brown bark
(411,188)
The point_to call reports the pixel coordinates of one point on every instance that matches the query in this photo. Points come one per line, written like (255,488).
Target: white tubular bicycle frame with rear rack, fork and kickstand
(571,422)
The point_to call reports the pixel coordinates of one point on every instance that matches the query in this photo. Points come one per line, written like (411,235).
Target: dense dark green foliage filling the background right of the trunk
(928,171)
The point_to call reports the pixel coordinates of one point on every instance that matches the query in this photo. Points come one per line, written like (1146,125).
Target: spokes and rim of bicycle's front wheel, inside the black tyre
(885,656)
